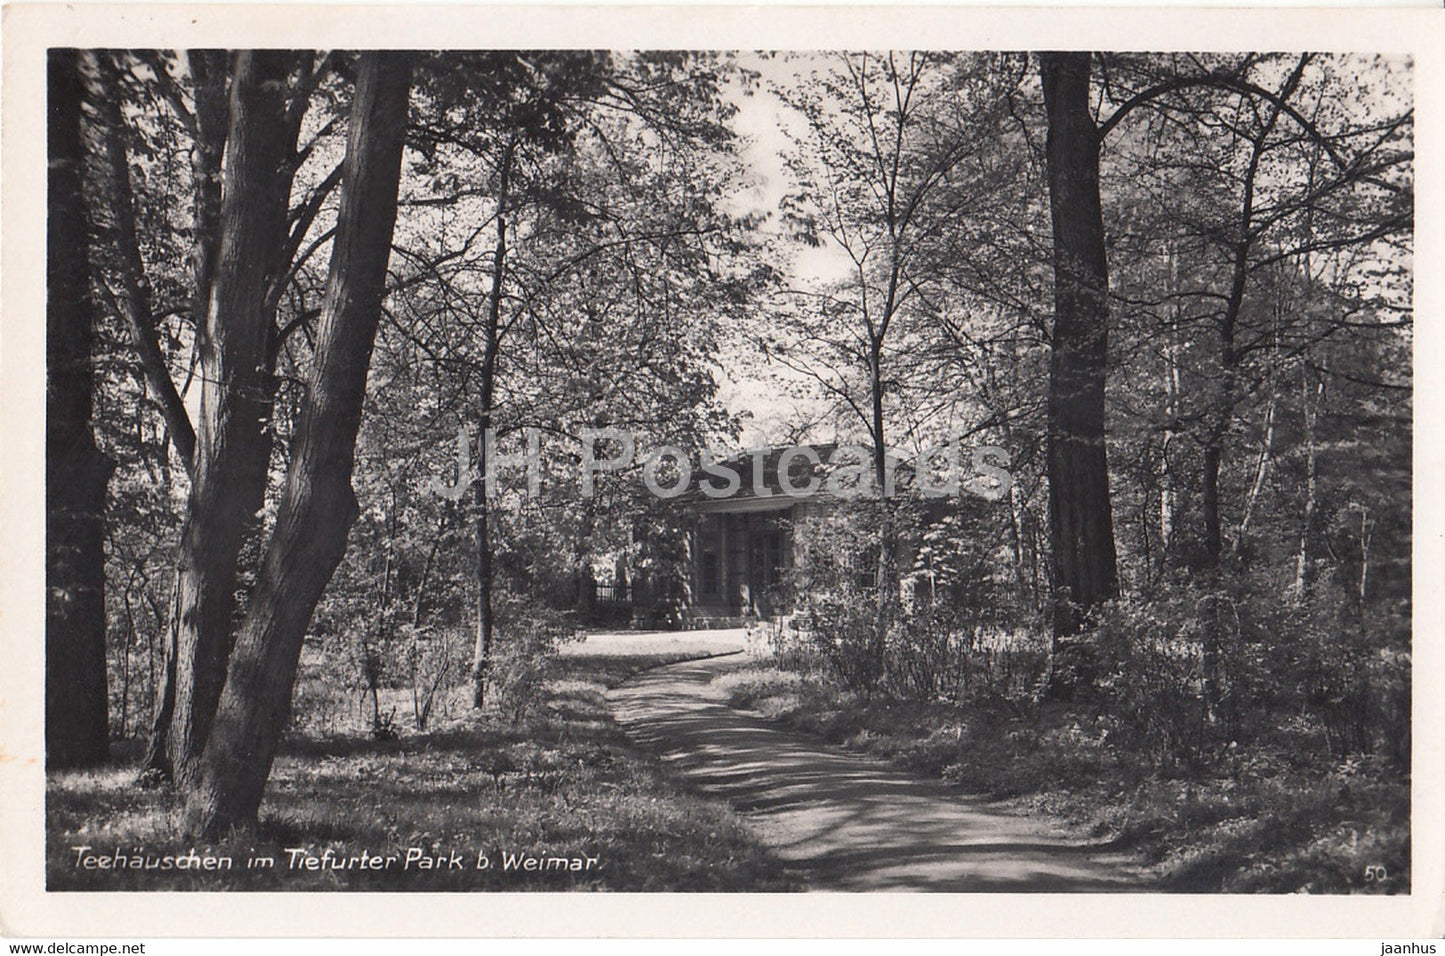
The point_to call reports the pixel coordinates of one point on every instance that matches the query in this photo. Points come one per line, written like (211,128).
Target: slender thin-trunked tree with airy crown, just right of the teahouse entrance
(894,157)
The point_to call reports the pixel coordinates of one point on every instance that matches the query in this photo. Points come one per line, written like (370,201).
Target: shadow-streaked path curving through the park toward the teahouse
(847,821)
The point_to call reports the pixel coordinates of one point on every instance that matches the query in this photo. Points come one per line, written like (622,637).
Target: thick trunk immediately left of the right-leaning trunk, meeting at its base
(233,444)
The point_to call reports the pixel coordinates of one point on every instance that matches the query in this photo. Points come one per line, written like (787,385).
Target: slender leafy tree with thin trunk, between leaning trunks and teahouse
(556,187)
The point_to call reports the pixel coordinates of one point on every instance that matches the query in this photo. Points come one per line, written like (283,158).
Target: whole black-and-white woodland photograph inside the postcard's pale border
(949,469)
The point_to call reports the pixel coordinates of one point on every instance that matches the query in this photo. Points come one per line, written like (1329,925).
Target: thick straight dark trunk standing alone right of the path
(1082,523)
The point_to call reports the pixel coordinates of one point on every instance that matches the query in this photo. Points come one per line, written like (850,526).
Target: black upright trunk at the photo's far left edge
(76,472)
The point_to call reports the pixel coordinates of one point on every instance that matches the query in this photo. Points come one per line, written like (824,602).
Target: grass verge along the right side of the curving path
(1280,818)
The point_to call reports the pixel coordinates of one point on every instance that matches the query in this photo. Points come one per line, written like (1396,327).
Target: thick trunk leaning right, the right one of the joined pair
(319,506)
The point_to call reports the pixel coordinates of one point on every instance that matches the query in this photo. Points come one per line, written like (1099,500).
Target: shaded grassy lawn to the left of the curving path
(563,785)
